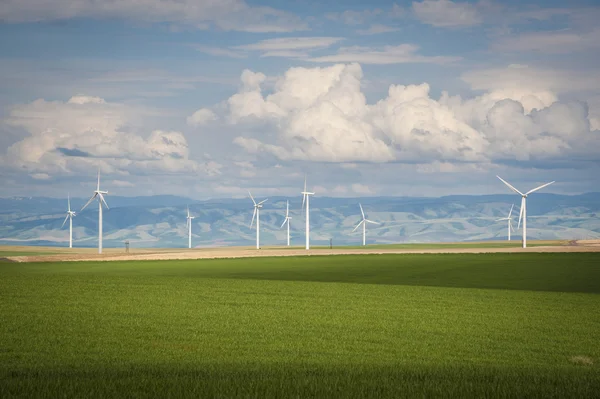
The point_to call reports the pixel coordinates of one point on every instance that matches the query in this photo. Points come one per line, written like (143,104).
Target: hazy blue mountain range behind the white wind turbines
(160,221)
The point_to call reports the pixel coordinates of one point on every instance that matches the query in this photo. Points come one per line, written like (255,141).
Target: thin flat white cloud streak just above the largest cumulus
(404,53)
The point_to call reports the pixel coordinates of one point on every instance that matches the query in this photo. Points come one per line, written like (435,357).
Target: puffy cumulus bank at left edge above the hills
(87,132)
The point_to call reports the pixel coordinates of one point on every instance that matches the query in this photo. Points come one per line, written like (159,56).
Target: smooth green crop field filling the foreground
(461,325)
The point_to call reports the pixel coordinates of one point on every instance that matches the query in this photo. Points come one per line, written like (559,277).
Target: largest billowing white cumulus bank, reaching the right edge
(321,114)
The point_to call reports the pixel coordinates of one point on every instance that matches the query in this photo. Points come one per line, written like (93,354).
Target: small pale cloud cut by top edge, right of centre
(446,13)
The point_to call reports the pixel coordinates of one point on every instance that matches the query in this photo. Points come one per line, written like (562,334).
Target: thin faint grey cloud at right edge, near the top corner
(553,42)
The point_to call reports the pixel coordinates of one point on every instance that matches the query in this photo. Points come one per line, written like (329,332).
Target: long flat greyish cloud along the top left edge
(225,14)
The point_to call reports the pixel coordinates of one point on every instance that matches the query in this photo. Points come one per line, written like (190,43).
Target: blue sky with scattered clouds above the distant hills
(207,98)
